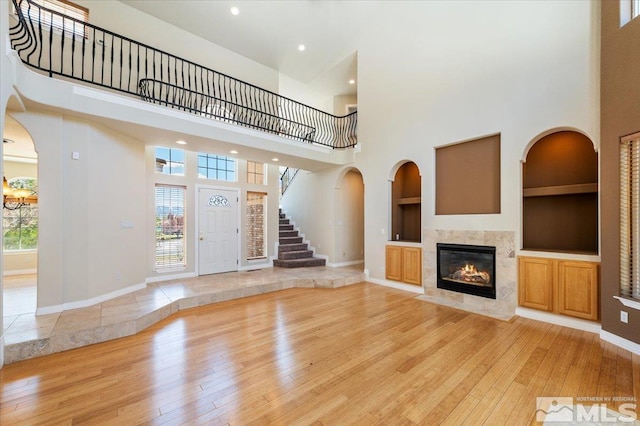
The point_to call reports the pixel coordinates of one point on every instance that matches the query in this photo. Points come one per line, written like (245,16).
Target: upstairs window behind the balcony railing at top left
(58,20)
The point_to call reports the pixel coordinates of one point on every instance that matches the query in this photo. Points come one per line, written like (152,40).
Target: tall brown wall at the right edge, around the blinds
(620,117)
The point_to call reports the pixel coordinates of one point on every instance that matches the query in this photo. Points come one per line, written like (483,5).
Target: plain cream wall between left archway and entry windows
(86,252)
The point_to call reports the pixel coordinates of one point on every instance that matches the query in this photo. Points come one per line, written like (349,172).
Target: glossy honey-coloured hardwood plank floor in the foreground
(363,353)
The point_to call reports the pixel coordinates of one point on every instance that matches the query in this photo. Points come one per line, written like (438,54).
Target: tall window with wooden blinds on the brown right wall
(630,217)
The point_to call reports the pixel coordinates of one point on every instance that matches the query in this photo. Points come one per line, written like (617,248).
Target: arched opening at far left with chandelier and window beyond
(20,223)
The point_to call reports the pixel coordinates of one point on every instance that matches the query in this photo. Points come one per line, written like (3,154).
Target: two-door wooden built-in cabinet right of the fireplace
(568,287)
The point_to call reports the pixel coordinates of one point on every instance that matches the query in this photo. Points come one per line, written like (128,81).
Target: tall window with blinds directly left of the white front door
(170,227)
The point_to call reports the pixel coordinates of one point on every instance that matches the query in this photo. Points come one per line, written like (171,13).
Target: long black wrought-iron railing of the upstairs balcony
(70,48)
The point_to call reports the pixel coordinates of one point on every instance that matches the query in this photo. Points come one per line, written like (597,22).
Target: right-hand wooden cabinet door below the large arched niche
(578,289)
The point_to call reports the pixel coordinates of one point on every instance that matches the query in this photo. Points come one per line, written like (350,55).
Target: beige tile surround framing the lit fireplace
(504,306)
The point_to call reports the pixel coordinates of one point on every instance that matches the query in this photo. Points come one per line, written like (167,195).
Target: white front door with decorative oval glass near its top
(217,231)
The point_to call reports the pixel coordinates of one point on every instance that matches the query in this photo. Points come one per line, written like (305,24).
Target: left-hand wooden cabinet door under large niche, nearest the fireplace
(535,282)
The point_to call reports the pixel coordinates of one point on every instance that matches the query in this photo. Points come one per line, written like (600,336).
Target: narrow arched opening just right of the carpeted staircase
(349,241)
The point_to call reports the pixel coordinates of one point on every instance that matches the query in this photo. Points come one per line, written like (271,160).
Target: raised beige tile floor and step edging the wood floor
(28,335)
